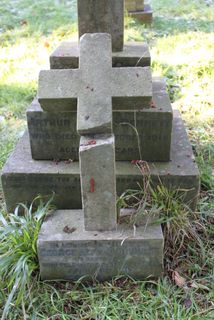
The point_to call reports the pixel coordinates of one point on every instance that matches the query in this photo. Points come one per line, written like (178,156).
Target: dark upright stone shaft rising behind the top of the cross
(102,16)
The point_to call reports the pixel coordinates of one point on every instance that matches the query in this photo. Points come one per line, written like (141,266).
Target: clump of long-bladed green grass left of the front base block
(18,250)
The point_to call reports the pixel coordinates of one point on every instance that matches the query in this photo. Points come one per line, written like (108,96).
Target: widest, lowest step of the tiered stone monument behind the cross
(23,178)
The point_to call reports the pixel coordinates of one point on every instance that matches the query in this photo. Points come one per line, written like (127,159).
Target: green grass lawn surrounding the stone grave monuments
(181,42)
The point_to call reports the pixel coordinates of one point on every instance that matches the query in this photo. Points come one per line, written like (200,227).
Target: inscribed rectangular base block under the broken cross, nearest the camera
(100,255)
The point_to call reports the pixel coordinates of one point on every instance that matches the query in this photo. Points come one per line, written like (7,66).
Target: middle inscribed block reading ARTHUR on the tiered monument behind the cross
(53,135)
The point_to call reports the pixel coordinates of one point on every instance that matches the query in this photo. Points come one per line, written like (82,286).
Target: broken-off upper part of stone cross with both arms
(96,85)
